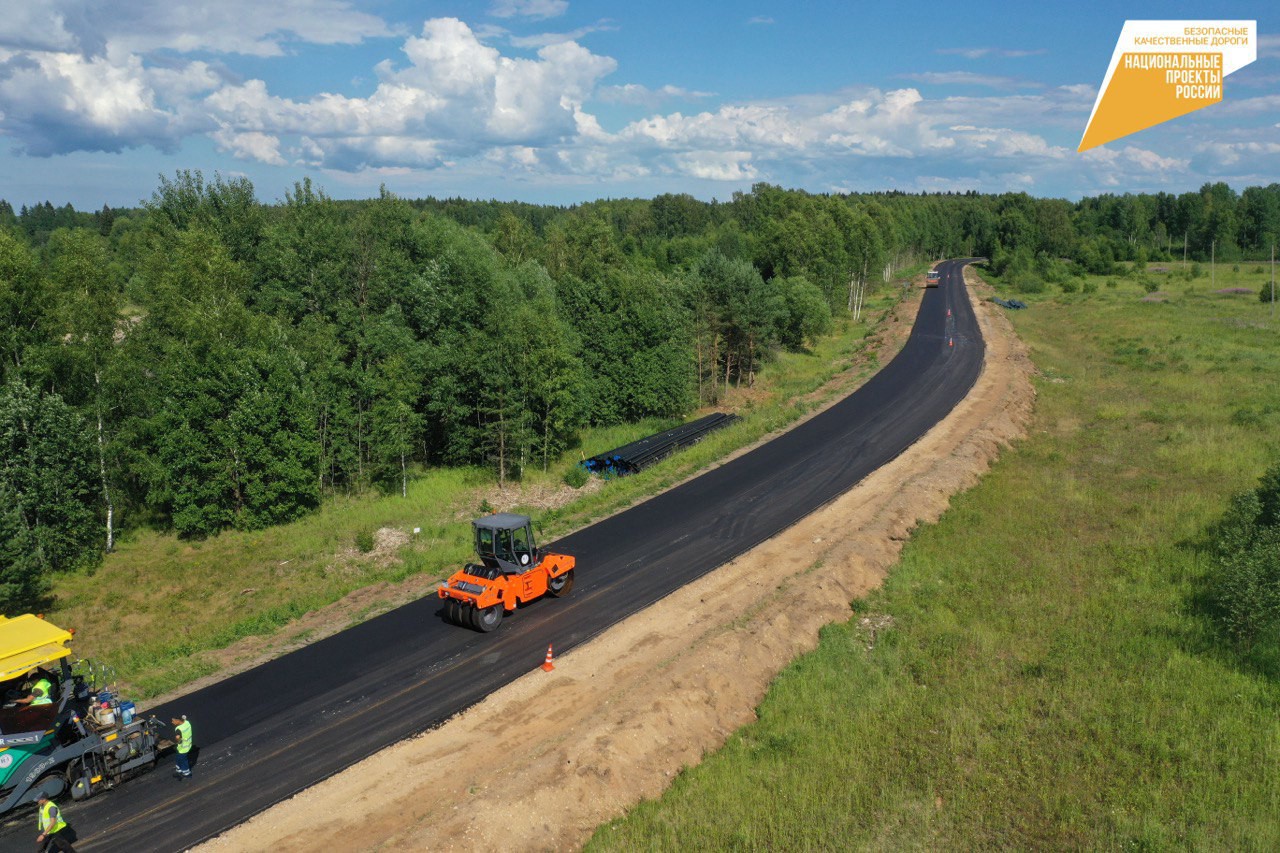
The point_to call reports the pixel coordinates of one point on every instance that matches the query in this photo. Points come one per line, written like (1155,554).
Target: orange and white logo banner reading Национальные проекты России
(1163,70)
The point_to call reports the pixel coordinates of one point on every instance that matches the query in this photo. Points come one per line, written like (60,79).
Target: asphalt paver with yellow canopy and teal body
(61,729)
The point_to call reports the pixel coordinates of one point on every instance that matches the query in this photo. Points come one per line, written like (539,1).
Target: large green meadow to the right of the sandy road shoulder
(1048,681)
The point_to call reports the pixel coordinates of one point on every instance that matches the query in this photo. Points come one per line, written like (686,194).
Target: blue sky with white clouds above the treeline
(560,102)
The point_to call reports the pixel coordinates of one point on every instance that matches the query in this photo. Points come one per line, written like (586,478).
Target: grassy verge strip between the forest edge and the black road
(161,606)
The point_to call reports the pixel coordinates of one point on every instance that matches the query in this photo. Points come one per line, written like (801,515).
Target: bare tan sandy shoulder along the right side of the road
(545,761)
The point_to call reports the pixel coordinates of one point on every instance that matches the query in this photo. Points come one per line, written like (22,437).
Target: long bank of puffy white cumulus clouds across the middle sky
(460,101)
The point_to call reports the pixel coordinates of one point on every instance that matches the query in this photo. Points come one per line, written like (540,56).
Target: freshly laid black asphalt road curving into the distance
(271,732)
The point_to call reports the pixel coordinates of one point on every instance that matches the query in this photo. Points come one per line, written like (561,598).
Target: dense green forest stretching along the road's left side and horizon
(208,362)
